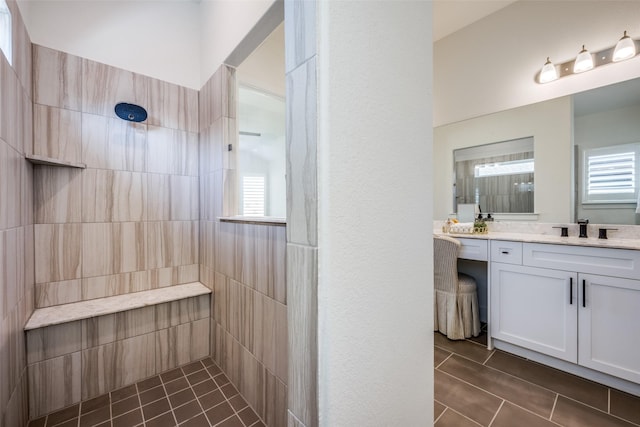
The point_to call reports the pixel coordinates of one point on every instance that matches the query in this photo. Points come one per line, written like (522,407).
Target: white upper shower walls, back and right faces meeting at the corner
(178,41)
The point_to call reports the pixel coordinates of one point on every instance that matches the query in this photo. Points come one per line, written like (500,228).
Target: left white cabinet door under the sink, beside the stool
(535,308)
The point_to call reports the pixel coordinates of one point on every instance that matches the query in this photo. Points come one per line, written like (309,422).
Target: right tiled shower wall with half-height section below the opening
(244,265)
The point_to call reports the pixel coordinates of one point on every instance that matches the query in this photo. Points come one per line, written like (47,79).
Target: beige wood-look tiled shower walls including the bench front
(142,215)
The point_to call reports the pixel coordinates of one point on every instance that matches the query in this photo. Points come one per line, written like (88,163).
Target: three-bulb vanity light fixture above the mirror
(626,48)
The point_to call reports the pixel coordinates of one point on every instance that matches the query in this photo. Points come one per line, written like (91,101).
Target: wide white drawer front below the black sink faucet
(604,261)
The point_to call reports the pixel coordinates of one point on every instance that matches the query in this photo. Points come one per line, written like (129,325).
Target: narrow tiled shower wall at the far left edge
(16,223)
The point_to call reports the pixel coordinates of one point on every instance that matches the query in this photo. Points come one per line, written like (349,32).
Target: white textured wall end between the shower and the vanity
(375,294)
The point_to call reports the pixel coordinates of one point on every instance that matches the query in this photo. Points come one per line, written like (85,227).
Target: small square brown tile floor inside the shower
(195,395)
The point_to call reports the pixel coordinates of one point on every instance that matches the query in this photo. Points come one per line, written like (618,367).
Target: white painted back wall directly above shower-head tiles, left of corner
(160,39)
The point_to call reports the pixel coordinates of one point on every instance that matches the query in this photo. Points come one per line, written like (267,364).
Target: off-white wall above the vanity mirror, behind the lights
(491,65)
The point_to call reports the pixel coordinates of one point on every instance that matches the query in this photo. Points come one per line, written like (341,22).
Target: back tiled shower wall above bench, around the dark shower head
(129,221)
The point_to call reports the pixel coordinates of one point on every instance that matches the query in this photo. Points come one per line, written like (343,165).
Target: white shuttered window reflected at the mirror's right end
(611,174)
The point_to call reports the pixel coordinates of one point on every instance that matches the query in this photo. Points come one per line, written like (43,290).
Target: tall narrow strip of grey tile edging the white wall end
(302,211)
